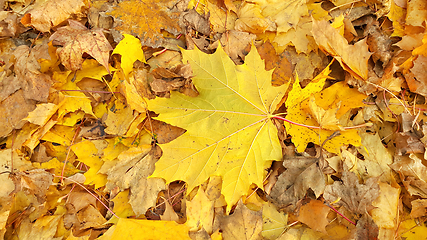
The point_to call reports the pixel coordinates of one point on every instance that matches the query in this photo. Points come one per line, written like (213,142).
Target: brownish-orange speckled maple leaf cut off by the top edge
(146,19)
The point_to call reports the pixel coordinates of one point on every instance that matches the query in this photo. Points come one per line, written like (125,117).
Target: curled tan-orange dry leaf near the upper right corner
(353,58)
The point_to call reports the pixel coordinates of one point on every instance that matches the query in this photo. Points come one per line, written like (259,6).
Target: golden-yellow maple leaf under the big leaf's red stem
(302,135)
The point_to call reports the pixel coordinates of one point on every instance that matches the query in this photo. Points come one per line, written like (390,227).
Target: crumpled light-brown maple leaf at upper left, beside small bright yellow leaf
(75,40)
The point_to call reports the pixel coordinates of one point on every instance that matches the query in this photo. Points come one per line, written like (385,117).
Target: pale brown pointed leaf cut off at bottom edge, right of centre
(242,224)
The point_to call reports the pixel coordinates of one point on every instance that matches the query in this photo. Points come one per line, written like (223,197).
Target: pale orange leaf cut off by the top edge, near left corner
(48,14)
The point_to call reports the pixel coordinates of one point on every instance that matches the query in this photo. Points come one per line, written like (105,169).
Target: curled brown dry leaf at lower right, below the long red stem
(356,197)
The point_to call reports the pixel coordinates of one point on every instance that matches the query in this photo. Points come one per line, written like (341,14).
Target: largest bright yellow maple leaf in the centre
(229,132)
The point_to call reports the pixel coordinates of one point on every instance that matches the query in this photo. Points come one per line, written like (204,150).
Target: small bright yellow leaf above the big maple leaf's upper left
(129,44)
